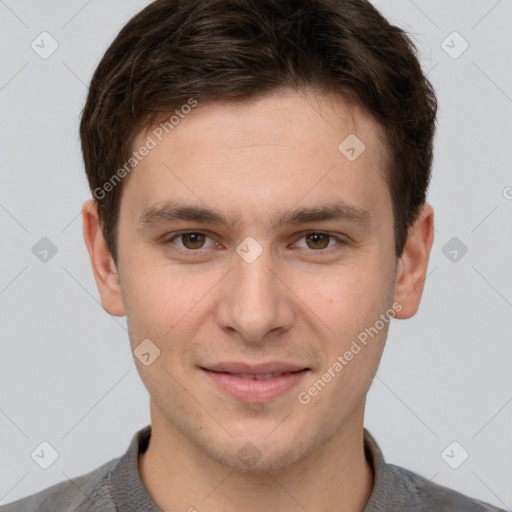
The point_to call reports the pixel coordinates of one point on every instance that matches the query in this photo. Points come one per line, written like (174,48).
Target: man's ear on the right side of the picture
(412,265)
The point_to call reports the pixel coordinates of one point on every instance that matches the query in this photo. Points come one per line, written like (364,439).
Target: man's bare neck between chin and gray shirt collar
(179,477)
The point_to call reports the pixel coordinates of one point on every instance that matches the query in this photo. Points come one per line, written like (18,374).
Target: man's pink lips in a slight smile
(234,379)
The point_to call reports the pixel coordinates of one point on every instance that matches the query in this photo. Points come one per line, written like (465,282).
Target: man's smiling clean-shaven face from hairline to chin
(255,255)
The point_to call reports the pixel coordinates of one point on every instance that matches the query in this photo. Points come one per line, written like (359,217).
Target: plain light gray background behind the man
(67,374)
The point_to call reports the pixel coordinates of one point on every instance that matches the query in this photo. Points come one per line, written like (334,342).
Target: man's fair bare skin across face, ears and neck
(295,303)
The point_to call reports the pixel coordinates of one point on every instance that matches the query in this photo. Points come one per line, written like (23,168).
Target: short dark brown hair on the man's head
(209,50)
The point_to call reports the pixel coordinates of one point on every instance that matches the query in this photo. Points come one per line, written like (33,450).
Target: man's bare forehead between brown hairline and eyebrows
(256,157)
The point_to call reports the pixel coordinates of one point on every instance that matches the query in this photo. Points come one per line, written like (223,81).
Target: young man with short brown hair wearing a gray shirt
(259,173)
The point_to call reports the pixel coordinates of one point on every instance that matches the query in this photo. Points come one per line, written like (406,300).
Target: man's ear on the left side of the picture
(103,266)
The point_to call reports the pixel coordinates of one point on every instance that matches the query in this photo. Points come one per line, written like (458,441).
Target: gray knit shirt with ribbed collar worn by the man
(117,487)
